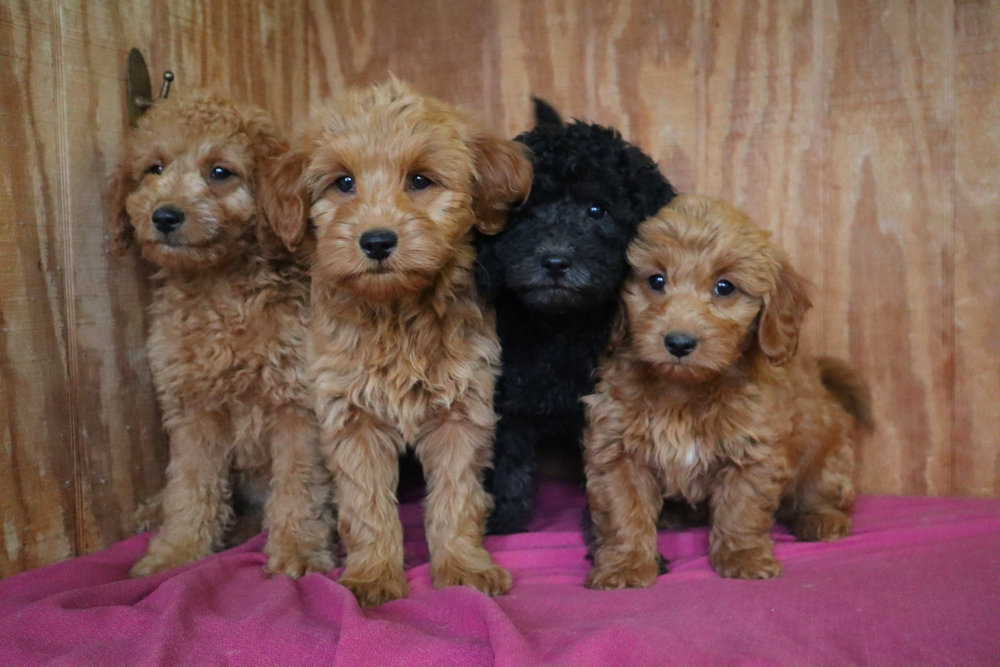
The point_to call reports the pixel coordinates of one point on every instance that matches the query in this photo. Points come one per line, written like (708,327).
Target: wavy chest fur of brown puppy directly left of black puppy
(405,363)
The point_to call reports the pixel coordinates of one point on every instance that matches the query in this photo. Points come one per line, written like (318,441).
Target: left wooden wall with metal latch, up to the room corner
(79,427)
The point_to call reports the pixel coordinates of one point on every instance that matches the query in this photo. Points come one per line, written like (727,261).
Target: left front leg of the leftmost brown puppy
(196,507)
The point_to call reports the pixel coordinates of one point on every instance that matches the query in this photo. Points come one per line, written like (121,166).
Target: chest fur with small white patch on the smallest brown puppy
(688,437)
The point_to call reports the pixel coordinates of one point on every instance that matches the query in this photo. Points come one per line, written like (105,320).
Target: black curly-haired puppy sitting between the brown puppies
(554,274)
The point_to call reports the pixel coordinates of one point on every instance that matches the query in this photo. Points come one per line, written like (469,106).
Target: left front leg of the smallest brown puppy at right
(624,498)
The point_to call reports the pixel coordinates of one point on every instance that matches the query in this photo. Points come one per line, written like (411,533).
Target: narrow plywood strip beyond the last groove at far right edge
(976,461)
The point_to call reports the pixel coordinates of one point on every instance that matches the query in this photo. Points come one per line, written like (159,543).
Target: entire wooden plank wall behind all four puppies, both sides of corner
(865,134)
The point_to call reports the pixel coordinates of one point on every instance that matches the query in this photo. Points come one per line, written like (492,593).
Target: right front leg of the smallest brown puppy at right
(743,504)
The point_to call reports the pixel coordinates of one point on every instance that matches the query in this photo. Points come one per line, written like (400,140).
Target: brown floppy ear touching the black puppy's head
(502,180)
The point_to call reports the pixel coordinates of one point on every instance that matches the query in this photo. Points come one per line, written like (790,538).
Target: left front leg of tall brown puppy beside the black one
(364,459)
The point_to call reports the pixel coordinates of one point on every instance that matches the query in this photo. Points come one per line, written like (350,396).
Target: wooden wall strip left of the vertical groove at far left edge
(37,494)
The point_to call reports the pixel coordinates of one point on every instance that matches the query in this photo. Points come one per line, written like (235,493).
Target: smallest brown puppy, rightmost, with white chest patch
(703,399)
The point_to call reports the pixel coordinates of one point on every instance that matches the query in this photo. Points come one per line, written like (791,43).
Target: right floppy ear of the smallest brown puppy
(781,317)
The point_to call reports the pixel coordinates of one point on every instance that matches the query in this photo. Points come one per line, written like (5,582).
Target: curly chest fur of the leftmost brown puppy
(231,344)
